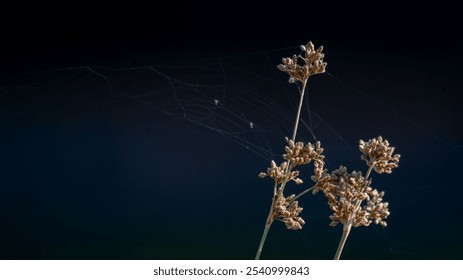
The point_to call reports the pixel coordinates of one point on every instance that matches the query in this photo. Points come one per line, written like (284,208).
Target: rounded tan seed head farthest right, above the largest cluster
(377,153)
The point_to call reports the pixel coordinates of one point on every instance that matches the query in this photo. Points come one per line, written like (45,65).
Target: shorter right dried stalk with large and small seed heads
(350,196)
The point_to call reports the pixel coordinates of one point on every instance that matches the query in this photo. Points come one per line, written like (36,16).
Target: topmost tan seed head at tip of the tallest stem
(313,64)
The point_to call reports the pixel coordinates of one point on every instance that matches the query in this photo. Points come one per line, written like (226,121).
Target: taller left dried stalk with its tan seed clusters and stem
(297,153)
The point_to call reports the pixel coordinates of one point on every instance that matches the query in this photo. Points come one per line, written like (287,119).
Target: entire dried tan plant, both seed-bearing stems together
(350,196)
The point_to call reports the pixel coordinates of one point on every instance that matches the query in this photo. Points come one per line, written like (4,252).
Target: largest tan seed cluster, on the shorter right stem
(346,192)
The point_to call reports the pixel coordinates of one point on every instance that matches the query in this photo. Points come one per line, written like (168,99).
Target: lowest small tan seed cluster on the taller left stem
(287,211)
